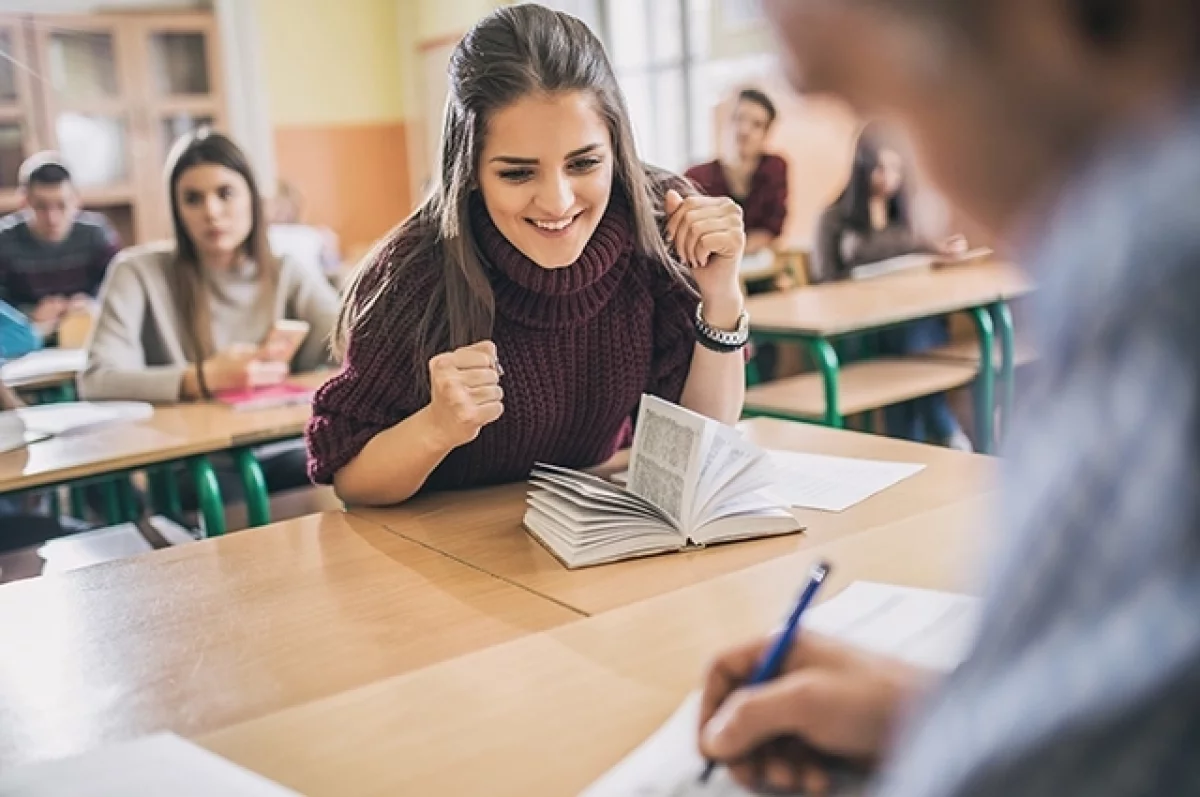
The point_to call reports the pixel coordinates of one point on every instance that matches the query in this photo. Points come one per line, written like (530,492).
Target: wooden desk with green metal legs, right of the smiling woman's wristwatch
(818,314)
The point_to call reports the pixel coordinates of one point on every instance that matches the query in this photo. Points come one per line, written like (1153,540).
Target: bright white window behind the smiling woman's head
(663,55)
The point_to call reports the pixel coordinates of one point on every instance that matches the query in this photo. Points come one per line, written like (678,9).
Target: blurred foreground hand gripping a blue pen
(831,699)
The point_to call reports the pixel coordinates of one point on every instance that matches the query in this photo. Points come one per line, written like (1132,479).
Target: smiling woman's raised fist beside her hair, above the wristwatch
(710,237)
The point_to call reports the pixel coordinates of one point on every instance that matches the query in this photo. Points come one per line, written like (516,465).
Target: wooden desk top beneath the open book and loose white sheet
(484,530)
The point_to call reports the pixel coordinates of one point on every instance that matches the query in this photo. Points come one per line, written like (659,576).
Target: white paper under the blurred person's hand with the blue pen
(926,628)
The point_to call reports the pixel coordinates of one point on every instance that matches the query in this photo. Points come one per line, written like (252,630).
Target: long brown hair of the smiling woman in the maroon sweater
(512,53)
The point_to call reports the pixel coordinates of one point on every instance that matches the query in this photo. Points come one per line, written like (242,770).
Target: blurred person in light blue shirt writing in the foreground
(1072,129)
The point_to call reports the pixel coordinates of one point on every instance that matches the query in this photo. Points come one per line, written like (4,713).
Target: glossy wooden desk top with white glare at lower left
(206,636)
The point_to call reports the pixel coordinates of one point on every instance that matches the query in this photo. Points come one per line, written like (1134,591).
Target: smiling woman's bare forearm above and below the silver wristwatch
(716,385)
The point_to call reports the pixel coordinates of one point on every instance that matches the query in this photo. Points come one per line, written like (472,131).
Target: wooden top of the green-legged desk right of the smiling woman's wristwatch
(842,308)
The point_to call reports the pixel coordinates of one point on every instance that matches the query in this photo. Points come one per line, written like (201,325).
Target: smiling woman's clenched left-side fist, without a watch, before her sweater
(465,393)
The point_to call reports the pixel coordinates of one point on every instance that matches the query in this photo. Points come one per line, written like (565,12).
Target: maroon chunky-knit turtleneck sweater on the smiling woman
(579,346)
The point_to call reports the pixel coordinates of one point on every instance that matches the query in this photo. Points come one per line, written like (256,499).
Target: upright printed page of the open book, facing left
(664,466)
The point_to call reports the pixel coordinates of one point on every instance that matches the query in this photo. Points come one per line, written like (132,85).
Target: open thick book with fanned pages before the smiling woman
(693,482)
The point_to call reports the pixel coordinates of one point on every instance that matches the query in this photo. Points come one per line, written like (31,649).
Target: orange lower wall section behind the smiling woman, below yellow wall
(353,178)
